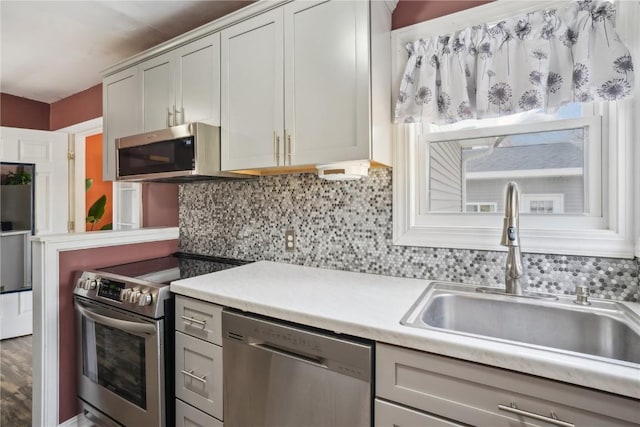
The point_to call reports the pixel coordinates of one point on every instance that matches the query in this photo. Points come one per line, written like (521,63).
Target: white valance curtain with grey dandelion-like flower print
(543,59)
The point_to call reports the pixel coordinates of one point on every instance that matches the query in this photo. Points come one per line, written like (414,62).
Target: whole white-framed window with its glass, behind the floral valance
(574,168)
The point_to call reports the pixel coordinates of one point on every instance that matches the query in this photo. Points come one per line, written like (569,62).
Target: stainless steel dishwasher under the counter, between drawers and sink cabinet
(279,375)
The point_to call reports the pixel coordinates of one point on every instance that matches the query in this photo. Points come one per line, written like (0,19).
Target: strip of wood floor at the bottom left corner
(15,382)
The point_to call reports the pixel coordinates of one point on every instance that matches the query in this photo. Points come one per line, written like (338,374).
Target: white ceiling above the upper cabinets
(50,50)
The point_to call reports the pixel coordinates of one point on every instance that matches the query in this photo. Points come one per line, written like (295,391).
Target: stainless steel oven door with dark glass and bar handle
(120,361)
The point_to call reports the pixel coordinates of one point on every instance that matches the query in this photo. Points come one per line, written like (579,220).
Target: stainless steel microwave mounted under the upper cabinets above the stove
(189,152)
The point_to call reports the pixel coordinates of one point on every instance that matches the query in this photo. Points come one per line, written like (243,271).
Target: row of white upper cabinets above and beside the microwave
(291,84)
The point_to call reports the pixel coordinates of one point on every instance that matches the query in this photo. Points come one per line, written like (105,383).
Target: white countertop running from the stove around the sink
(371,306)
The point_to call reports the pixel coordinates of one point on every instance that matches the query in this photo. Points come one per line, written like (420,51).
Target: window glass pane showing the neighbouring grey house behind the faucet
(469,175)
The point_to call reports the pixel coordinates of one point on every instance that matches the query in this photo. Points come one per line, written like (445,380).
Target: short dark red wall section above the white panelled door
(23,113)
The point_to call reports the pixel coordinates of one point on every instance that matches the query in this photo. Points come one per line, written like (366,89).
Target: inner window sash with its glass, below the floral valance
(475,165)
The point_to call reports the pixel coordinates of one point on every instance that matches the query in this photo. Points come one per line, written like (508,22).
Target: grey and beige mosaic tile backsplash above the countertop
(347,225)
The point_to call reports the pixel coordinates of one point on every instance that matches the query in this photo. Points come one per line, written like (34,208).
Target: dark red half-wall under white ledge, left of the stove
(70,262)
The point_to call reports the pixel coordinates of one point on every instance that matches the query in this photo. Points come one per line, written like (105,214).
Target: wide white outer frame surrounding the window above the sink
(615,233)
